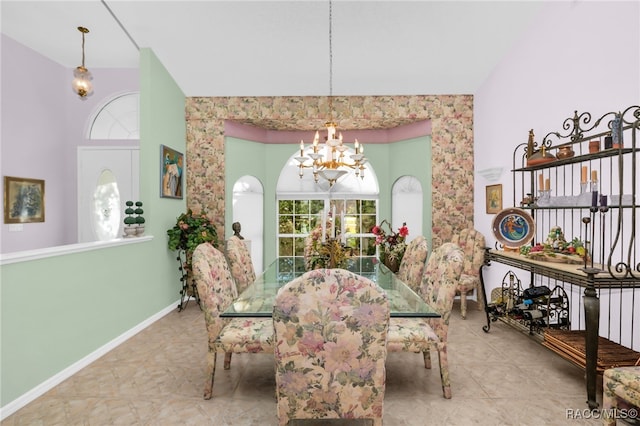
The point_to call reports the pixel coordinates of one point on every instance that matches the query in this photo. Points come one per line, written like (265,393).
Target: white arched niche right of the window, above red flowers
(407,202)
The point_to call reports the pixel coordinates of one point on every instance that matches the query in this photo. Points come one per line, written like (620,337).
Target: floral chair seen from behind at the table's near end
(330,328)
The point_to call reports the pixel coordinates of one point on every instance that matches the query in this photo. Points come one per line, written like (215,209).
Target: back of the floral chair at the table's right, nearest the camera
(440,282)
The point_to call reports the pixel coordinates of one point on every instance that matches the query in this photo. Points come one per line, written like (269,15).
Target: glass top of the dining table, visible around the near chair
(257,300)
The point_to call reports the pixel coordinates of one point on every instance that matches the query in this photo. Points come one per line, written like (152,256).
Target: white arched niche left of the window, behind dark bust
(248,209)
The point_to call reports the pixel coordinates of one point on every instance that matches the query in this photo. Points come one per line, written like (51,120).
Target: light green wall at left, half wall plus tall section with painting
(58,310)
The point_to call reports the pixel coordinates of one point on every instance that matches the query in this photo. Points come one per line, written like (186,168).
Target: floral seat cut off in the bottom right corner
(619,383)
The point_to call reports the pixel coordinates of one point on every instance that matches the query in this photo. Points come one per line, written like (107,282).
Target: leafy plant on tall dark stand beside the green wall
(189,231)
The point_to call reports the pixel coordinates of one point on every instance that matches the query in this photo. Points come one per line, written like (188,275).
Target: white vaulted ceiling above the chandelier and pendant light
(281,48)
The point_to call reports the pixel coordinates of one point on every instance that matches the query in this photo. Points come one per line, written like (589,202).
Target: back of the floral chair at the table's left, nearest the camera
(215,285)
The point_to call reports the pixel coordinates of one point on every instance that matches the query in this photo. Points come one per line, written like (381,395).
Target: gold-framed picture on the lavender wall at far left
(23,200)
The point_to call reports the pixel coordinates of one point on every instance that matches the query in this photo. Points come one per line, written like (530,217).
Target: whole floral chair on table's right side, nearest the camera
(438,289)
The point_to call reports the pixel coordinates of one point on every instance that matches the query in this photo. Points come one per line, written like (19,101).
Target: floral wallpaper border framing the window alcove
(452,138)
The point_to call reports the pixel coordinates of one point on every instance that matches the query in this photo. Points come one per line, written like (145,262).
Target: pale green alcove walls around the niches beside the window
(265,161)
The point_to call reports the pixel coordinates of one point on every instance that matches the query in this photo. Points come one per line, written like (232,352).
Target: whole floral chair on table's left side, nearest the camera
(217,290)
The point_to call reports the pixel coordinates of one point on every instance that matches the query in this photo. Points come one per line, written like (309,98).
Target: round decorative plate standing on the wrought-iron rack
(513,227)
